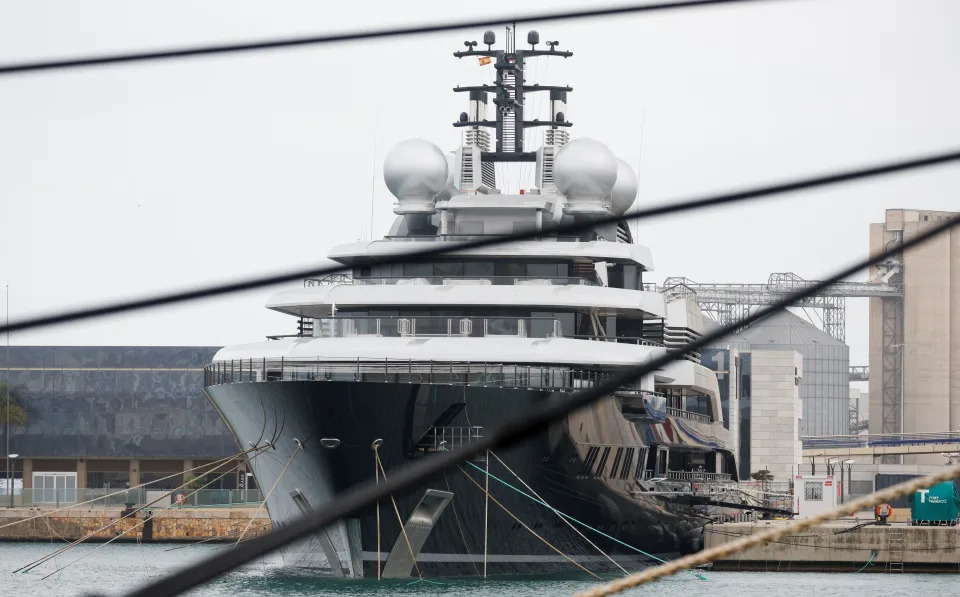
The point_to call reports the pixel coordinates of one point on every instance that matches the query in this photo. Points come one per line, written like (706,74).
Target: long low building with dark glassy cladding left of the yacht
(111,417)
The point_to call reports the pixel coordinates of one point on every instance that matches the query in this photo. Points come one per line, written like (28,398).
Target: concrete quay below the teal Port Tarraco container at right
(838,547)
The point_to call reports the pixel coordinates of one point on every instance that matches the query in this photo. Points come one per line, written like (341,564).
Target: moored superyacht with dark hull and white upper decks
(394,363)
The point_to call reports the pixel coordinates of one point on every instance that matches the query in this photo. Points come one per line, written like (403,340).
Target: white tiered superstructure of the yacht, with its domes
(553,301)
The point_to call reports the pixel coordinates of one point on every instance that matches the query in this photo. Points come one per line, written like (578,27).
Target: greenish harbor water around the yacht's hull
(116,569)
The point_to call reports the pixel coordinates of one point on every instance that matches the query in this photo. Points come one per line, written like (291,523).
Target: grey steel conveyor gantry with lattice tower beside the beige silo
(727,303)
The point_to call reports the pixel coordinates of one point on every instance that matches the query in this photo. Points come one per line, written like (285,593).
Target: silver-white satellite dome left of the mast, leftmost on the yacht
(415,172)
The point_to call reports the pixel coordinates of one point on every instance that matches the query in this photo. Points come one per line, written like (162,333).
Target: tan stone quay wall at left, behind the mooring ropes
(172,525)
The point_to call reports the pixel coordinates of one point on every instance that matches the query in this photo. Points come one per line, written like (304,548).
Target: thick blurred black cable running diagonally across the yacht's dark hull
(534,420)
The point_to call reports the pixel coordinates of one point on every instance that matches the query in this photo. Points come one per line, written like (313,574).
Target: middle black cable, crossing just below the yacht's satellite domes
(440,248)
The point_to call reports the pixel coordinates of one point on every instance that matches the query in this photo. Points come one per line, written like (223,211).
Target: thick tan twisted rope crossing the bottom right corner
(727,549)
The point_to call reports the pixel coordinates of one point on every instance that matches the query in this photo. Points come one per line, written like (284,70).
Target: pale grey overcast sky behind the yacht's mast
(125,180)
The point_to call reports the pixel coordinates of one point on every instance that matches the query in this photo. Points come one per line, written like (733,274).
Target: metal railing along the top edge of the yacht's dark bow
(489,375)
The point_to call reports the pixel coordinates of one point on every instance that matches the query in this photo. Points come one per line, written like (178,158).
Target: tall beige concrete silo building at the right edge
(915,338)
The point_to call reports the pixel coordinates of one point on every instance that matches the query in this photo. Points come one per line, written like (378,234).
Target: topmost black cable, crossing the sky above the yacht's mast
(290,42)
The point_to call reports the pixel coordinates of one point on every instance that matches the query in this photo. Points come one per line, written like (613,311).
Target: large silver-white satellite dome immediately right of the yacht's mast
(585,172)
